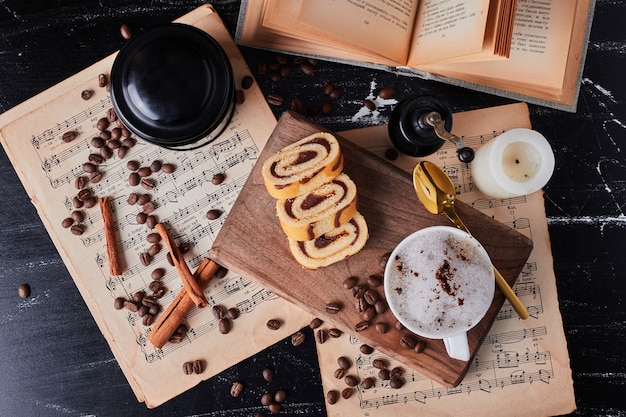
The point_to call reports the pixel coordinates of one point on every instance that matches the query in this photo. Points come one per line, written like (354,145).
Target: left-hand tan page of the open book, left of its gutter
(383,26)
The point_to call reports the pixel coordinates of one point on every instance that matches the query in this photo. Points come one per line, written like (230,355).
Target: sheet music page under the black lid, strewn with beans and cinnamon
(47,166)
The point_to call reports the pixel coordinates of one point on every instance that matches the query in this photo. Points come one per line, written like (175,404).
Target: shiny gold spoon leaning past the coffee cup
(436,192)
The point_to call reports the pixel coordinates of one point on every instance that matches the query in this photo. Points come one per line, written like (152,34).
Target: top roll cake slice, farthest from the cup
(302,166)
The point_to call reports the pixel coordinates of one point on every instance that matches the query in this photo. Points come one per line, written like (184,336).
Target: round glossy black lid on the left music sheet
(172,85)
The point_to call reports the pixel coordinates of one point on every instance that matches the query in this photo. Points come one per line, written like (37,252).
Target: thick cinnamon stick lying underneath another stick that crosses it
(178,309)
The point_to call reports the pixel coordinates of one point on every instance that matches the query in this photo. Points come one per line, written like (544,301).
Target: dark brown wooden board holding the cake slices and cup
(252,243)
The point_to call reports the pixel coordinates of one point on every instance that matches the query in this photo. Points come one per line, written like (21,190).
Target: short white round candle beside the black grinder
(518,162)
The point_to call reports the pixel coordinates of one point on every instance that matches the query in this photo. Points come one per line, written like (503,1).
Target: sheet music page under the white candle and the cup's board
(523,365)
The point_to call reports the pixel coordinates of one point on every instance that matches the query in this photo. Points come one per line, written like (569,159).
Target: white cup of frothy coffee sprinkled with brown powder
(439,283)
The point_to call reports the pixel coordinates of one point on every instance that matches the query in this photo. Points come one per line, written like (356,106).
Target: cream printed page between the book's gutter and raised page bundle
(447,28)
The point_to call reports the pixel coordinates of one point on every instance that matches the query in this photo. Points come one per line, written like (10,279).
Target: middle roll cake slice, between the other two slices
(321,210)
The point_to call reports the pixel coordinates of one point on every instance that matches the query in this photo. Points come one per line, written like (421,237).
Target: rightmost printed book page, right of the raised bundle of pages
(539,50)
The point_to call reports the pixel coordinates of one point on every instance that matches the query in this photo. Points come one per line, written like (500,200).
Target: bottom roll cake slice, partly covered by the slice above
(332,247)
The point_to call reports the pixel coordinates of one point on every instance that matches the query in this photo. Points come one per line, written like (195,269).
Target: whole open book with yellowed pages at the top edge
(524,49)
